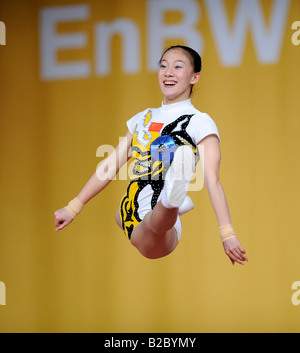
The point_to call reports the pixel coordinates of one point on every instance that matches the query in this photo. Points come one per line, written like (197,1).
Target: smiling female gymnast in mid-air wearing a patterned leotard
(163,143)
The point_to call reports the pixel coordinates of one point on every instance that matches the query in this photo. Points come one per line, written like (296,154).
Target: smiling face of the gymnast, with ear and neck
(176,76)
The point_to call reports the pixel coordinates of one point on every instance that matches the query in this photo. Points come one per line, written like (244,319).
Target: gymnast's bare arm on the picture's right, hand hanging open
(210,162)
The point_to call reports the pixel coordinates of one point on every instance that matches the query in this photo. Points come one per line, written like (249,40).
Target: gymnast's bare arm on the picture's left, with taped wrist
(105,172)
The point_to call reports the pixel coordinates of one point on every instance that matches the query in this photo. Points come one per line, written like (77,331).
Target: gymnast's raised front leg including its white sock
(156,236)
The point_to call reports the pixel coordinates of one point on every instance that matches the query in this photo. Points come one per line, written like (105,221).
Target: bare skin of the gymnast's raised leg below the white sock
(155,236)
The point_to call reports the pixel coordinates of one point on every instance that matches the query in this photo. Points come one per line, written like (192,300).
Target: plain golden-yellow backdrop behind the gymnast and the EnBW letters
(88,278)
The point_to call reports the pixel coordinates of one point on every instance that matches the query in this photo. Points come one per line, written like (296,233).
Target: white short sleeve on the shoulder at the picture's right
(201,126)
